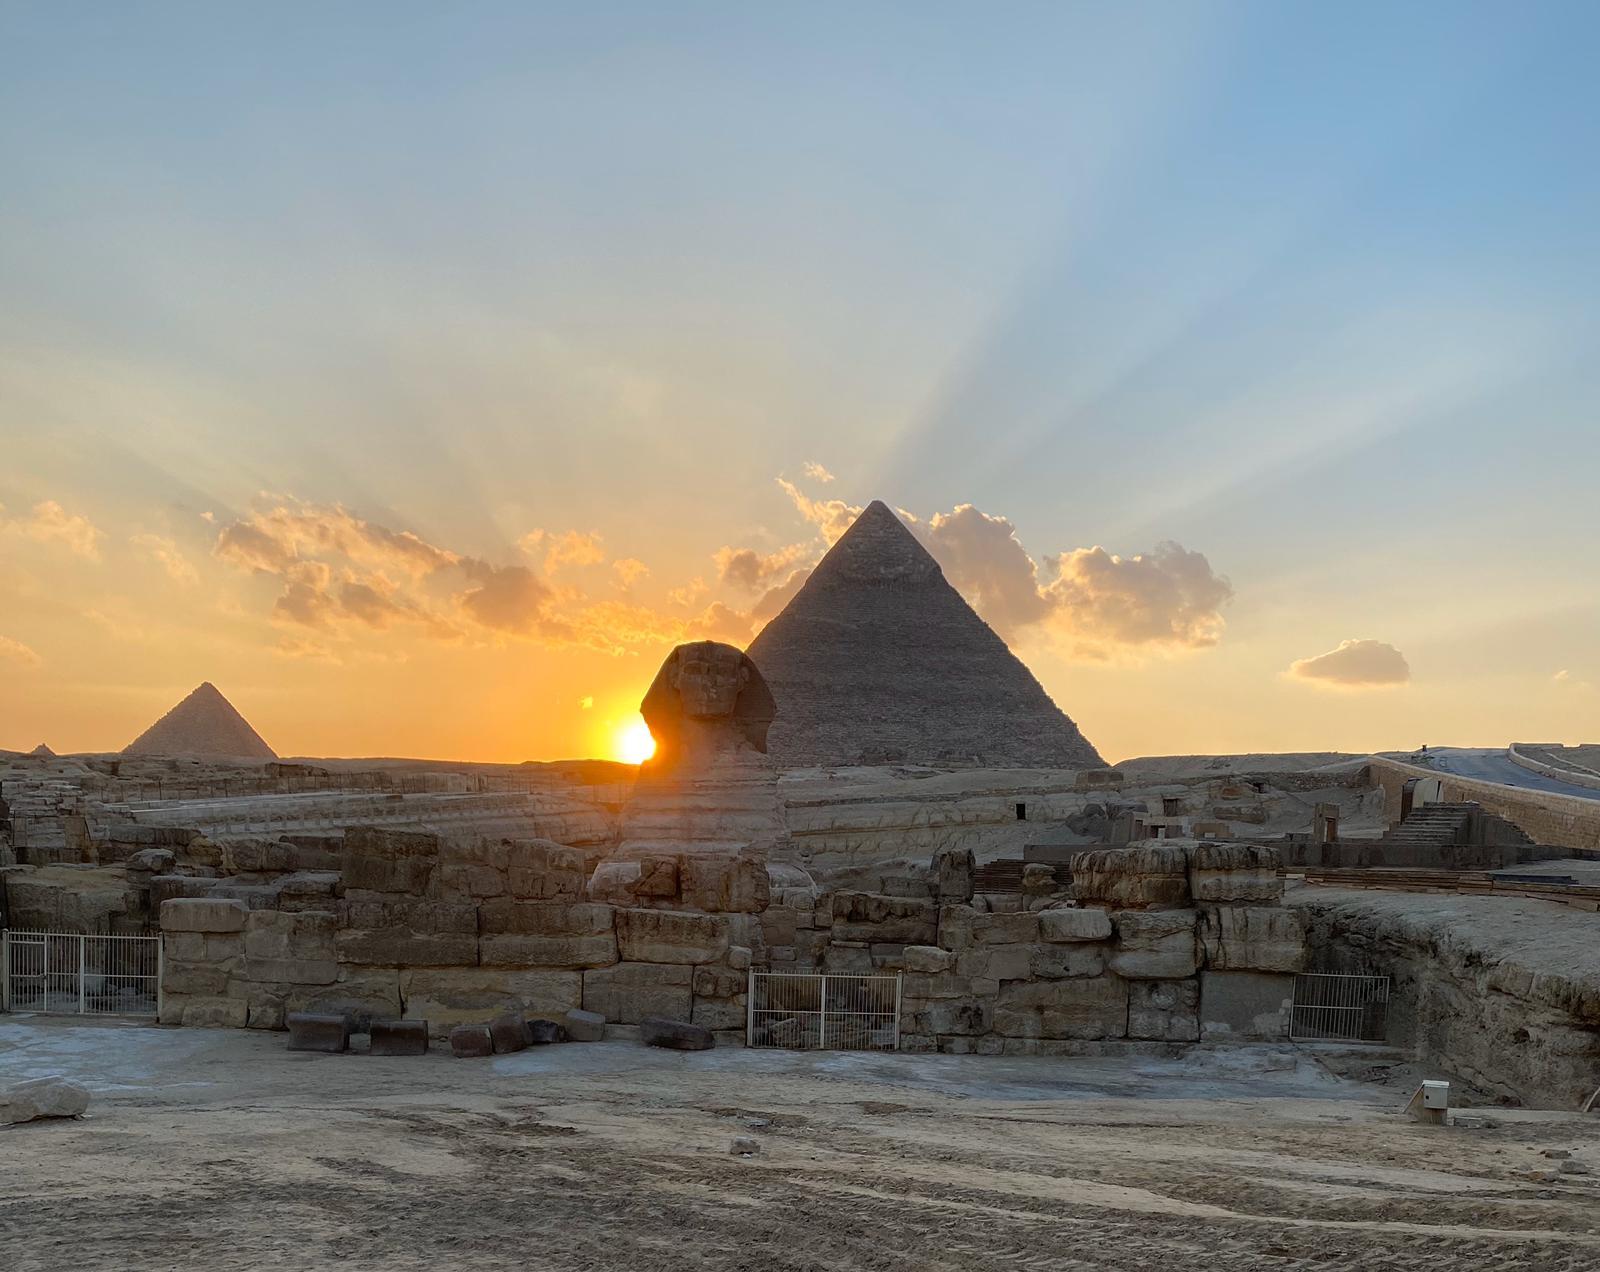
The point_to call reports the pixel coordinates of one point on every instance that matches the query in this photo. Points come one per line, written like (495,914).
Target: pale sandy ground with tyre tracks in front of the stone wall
(220,1150)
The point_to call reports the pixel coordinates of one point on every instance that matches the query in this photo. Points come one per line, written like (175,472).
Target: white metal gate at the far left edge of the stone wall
(81,974)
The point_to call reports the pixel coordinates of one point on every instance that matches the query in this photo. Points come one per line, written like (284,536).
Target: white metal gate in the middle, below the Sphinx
(817,1012)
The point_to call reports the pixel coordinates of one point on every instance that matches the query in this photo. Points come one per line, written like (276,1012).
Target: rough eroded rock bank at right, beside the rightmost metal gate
(1500,991)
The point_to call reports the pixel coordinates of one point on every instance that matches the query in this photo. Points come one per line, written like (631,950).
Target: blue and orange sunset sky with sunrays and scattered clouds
(420,375)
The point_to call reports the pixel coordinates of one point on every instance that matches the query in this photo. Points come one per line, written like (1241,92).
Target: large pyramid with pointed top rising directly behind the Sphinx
(878,660)
